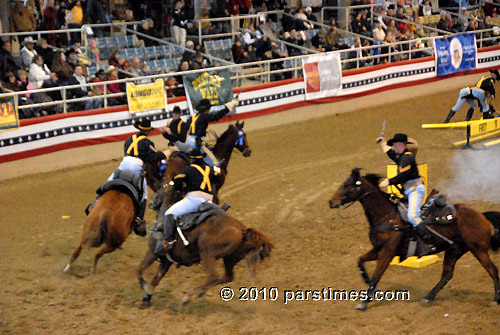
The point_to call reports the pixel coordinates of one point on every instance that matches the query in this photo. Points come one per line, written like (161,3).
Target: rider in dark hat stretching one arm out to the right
(198,124)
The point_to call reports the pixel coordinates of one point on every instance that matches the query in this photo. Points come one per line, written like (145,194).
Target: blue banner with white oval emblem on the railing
(456,53)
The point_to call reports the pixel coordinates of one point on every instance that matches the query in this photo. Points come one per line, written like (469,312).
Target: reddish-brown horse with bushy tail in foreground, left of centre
(219,236)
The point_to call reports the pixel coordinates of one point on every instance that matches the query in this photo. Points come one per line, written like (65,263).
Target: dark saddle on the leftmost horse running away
(127,182)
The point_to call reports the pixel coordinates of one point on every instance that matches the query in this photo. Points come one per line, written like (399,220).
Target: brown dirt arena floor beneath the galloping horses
(282,189)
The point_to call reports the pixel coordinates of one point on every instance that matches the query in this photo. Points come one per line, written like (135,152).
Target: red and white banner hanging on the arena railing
(322,75)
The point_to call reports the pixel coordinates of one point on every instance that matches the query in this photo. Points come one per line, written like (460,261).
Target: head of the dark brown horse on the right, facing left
(353,188)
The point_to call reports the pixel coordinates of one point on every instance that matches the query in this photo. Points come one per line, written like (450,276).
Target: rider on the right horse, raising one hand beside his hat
(408,176)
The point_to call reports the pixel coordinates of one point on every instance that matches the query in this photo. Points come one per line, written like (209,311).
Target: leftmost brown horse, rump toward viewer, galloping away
(111,221)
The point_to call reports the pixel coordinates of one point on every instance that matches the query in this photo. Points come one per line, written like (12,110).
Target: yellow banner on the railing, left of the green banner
(146,97)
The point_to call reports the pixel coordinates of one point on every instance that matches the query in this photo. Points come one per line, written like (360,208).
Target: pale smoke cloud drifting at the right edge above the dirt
(476,176)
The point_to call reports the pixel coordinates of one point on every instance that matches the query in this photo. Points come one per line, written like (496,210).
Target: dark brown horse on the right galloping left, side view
(389,235)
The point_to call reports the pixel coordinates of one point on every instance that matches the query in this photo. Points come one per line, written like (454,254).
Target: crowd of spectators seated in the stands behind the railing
(58,59)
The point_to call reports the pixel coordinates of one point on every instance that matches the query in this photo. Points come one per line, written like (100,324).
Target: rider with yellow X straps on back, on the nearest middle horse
(198,180)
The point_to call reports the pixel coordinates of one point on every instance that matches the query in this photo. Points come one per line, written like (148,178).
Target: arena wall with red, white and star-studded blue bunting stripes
(68,140)
